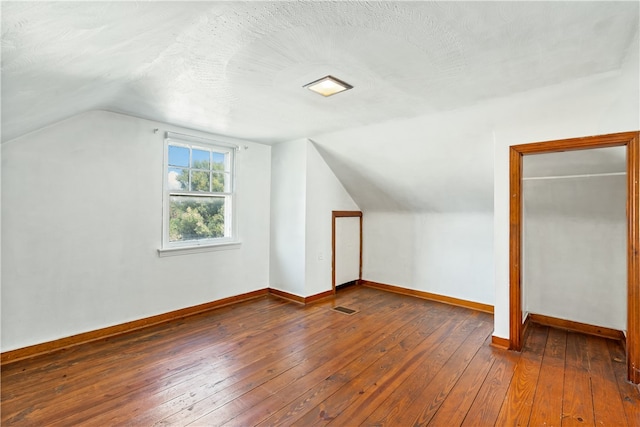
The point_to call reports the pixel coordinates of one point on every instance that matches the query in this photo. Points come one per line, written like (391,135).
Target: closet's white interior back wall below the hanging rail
(575,249)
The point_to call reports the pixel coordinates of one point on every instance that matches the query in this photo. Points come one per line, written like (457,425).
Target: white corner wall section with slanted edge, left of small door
(304,192)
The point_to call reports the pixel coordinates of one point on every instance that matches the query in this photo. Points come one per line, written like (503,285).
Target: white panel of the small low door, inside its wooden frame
(347,246)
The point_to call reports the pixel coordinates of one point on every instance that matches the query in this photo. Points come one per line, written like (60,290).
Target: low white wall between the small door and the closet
(447,254)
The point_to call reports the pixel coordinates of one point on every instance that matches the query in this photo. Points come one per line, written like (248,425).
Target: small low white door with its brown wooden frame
(346,247)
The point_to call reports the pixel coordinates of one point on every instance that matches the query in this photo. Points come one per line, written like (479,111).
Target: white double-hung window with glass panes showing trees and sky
(199,192)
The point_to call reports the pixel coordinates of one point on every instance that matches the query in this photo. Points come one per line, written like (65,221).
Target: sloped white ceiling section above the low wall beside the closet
(414,165)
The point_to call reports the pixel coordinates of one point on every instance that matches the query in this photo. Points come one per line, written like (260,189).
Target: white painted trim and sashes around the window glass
(168,248)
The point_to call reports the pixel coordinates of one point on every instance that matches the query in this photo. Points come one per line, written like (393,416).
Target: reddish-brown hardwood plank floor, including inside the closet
(398,361)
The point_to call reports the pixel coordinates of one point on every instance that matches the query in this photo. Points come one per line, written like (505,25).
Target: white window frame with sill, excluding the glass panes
(231,231)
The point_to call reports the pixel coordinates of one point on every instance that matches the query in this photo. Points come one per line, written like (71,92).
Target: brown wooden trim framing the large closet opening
(630,140)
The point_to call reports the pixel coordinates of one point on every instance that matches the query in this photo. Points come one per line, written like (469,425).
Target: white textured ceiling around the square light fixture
(237,68)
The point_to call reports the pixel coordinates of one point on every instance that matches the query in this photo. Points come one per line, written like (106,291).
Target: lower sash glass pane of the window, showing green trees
(196,218)
